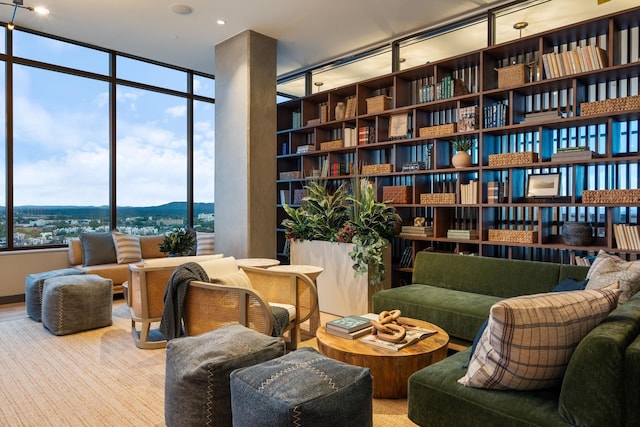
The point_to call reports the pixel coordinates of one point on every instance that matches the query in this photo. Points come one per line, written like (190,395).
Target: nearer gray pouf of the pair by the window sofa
(76,303)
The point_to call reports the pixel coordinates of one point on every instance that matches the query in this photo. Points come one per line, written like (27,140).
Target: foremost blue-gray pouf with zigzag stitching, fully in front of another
(302,388)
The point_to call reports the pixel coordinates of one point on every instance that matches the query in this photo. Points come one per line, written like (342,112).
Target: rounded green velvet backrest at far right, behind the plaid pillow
(601,356)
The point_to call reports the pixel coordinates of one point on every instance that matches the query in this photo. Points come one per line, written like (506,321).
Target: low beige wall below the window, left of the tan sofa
(15,266)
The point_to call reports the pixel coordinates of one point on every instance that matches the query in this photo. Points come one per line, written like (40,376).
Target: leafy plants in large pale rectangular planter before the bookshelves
(332,225)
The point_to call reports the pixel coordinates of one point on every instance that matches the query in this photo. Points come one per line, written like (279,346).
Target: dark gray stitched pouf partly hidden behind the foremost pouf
(197,373)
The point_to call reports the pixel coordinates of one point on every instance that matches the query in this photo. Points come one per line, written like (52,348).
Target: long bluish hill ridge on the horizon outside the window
(173,209)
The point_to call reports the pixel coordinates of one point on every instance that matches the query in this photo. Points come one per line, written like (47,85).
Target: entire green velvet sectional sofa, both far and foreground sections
(600,387)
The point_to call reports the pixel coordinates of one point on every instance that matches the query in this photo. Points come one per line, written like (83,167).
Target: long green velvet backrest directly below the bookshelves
(485,275)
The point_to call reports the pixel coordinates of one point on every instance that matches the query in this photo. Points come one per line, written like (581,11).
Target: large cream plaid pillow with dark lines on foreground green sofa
(529,339)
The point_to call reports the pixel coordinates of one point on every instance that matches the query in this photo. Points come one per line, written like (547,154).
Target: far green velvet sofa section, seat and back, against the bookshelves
(456,292)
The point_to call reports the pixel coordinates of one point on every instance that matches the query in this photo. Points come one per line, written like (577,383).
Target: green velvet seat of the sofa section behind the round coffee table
(460,313)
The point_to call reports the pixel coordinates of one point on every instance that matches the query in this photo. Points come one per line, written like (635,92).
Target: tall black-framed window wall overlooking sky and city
(90,149)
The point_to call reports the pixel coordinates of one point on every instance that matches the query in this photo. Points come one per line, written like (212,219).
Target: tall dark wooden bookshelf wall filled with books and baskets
(527,112)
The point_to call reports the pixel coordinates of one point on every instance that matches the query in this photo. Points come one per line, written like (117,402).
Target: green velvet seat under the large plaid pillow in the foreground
(436,399)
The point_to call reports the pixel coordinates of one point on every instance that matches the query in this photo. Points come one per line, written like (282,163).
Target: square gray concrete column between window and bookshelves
(245,152)
